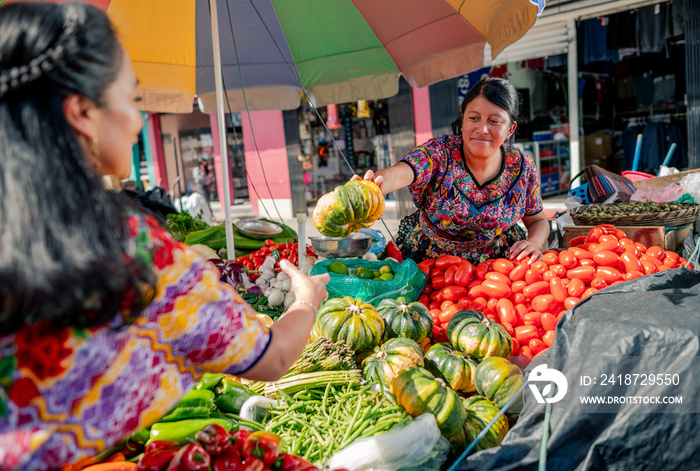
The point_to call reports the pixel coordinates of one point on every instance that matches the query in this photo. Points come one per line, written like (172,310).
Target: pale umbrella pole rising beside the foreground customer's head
(223,145)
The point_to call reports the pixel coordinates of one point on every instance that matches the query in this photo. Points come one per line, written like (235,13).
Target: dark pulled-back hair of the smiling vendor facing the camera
(498,91)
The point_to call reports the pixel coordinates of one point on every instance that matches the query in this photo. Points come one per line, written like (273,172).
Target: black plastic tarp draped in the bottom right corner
(643,322)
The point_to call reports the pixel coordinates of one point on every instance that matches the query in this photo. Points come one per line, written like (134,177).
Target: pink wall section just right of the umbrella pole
(272,147)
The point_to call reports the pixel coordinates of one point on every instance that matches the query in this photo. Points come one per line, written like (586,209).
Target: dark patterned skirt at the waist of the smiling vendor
(418,239)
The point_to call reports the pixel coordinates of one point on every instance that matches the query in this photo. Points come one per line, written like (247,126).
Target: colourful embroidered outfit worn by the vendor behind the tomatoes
(458,215)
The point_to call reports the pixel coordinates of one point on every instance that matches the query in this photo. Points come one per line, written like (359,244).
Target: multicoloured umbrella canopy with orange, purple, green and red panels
(339,51)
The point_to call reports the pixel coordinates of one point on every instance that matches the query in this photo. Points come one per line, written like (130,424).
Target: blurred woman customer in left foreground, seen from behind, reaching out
(105,320)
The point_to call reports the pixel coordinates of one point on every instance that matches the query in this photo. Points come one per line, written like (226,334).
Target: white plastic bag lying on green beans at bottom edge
(417,446)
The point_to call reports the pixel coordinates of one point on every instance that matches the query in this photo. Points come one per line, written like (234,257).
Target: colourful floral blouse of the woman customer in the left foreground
(72,393)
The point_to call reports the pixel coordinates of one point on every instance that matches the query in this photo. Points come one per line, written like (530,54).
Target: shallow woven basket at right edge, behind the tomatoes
(678,218)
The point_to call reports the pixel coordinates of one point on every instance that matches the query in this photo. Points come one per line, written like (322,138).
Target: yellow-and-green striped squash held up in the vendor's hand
(348,208)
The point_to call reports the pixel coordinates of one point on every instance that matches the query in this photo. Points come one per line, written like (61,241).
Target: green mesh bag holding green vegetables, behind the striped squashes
(408,280)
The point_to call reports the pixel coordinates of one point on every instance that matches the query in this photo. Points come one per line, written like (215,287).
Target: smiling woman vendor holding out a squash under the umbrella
(472,187)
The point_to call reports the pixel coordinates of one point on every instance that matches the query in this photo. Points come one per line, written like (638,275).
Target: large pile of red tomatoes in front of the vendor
(529,299)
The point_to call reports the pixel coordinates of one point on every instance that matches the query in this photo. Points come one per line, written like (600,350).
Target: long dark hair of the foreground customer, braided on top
(63,237)
